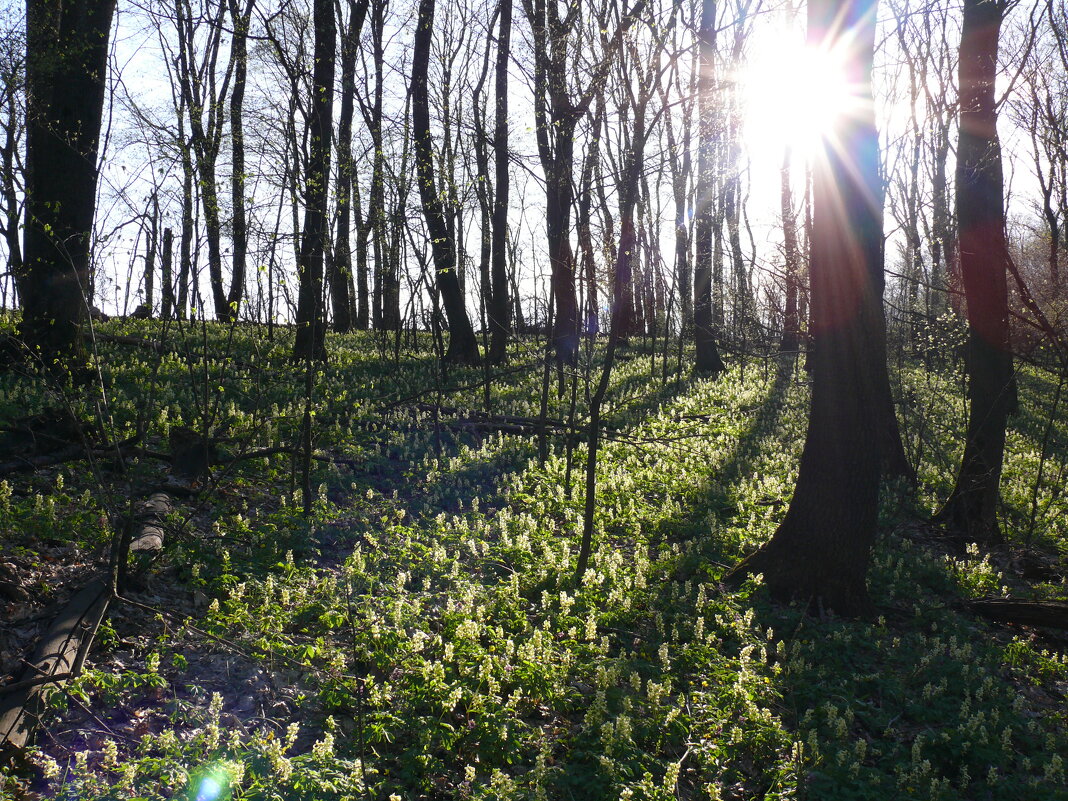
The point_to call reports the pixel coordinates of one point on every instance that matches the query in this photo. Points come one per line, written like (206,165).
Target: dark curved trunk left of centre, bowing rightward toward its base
(463,345)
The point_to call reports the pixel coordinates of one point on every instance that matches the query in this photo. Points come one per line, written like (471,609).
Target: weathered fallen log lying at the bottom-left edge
(57,658)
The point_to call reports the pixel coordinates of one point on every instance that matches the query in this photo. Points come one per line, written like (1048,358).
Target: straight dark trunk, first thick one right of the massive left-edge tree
(311,337)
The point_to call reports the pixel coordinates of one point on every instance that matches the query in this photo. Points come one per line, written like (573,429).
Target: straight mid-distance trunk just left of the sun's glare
(708,354)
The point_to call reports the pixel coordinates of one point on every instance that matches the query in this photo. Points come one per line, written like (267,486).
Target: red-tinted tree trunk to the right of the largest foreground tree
(972,508)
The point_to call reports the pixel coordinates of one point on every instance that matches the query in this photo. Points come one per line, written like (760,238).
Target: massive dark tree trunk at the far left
(66,69)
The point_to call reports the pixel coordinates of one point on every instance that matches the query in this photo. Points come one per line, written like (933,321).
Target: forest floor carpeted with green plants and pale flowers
(419,635)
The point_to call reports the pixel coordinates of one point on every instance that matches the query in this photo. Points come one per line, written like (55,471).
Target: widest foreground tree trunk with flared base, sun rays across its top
(823,547)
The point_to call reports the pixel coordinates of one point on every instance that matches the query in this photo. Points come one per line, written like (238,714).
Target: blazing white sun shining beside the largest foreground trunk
(794,97)
